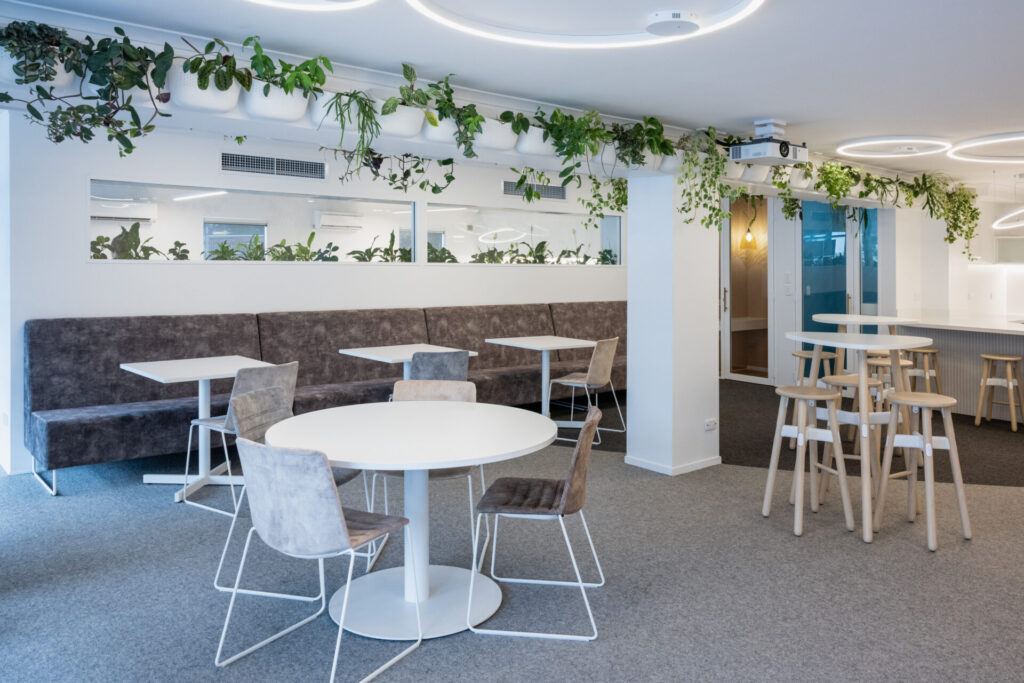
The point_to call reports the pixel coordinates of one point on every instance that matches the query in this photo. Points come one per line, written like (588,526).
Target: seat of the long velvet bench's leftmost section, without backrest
(71,437)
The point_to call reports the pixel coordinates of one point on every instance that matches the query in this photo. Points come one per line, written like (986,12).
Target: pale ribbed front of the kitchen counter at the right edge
(960,364)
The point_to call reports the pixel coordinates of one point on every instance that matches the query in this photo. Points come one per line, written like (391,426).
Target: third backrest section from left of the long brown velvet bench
(466,328)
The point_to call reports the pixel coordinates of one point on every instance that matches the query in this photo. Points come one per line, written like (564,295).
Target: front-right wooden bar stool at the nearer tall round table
(926,443)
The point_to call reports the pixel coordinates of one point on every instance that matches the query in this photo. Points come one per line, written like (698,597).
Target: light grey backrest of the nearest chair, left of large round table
(294,501)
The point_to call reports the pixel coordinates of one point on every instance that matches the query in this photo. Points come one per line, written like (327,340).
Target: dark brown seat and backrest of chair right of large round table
(546,497)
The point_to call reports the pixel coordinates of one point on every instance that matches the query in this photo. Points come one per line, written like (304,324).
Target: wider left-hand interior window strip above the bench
(142,222)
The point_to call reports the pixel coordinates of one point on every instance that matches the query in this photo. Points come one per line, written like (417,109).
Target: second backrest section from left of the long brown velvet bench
(314,338)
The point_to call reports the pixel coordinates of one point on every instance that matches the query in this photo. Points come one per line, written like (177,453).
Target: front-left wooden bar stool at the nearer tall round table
(805,431)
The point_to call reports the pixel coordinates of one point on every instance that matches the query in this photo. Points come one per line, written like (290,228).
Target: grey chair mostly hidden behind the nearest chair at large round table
(254,413)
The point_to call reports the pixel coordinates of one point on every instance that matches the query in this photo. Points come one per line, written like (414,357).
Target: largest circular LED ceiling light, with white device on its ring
(664,27)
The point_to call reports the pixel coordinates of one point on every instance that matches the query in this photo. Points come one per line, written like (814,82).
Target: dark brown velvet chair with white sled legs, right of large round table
(542,500)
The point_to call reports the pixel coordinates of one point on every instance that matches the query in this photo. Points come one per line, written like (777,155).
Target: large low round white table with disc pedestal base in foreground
(416,437)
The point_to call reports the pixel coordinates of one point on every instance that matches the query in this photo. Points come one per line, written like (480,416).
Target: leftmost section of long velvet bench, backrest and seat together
(81,409)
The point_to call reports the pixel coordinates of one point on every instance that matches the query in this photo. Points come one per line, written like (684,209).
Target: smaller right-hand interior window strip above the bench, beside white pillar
(462,234)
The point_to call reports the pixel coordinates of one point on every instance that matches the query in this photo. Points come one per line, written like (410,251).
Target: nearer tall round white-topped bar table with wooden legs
(862,345)
